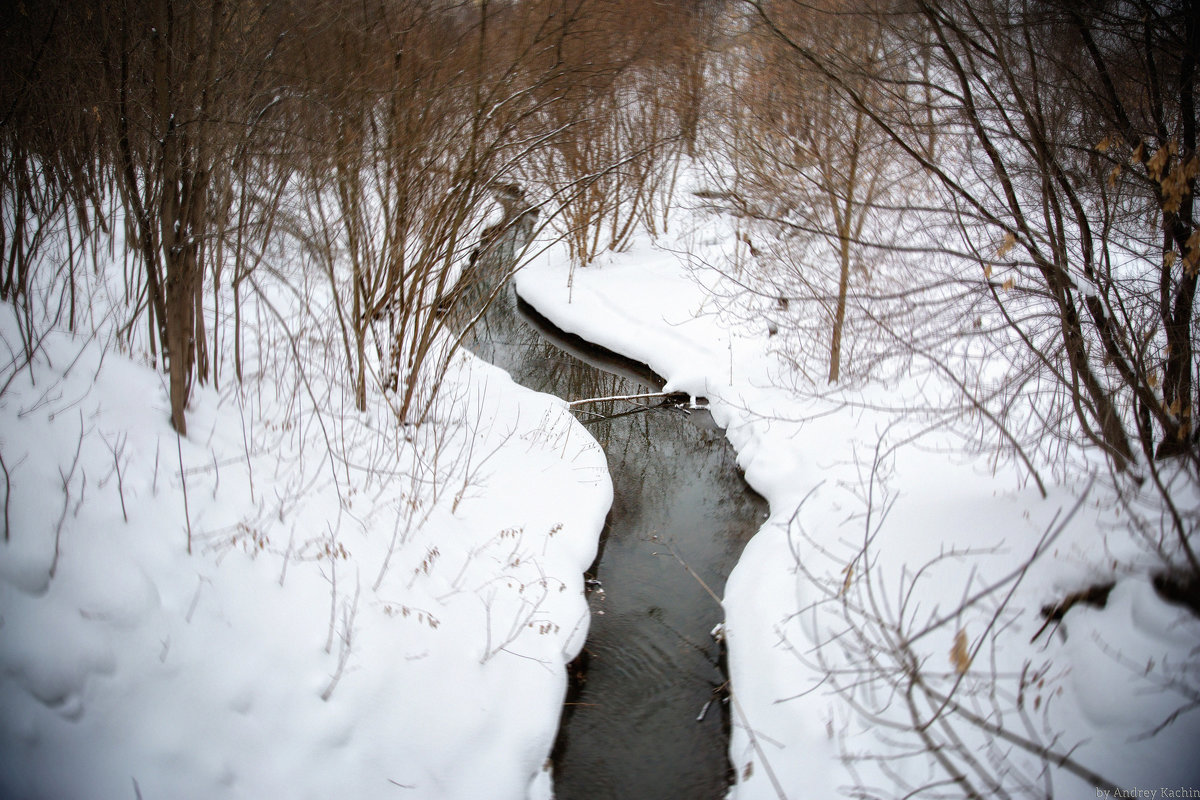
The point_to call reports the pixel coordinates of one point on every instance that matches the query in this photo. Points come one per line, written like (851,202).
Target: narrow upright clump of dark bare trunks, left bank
(163,65)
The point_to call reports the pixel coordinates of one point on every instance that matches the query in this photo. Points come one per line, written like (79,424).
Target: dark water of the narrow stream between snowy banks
(633,724)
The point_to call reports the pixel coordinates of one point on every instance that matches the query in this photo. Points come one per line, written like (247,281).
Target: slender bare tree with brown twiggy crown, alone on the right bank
(807,165)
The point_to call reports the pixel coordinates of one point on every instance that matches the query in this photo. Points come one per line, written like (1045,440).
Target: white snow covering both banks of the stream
(303,600)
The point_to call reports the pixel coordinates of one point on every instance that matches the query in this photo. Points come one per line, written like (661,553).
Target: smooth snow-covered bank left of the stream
(296,601)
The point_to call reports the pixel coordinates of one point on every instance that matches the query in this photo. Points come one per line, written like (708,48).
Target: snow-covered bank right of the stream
(880,530)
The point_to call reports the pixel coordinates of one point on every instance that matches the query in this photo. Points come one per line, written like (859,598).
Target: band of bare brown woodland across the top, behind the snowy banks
(1015,173)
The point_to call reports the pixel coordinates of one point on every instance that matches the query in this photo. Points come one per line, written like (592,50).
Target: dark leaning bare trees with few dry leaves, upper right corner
(1065,236)
